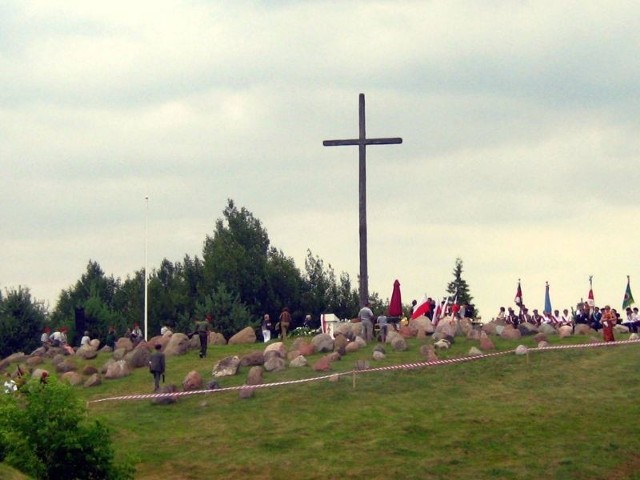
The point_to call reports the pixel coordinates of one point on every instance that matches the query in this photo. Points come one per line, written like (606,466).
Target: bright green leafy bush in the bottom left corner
(45,433)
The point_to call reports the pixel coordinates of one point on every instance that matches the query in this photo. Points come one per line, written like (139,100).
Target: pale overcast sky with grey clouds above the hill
(520,123)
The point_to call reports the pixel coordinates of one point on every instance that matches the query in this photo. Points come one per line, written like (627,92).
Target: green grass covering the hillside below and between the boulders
(557,414)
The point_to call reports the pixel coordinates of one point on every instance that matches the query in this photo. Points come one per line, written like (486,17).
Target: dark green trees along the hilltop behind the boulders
(239,278)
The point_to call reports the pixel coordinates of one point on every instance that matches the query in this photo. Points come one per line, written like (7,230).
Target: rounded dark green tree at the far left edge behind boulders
(21,322)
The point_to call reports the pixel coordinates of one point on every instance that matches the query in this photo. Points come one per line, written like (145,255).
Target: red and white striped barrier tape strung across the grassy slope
(406,366)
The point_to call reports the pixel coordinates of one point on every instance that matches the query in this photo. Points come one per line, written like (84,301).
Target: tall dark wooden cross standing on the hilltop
(362,141)
